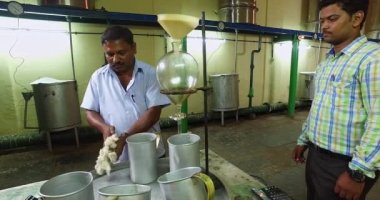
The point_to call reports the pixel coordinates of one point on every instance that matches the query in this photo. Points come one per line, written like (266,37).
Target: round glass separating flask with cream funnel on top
(177,71)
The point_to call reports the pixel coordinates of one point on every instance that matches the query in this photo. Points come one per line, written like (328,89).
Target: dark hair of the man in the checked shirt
(350,6)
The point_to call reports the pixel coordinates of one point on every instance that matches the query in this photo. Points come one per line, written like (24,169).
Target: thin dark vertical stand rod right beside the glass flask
(205,91)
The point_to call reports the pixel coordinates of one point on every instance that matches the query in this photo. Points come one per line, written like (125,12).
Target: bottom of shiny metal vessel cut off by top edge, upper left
(86,4)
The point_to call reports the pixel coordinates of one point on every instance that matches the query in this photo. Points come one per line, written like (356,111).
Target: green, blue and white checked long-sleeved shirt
(345,115)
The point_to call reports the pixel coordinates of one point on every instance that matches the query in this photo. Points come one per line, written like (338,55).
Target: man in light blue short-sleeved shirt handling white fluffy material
(123,97)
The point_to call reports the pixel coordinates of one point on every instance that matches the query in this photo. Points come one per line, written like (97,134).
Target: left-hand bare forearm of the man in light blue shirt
(95,120)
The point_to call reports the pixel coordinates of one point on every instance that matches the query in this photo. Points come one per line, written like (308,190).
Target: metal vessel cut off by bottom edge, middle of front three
(125,192)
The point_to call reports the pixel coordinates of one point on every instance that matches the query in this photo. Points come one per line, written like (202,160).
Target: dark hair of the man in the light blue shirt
(117,33)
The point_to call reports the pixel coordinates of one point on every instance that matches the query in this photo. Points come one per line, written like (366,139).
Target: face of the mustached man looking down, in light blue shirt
(119,54)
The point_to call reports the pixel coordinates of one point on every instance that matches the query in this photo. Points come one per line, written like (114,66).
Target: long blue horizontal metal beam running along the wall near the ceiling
(56,13)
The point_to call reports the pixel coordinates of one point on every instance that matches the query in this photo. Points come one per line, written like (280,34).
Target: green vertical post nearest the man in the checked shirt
(293,77)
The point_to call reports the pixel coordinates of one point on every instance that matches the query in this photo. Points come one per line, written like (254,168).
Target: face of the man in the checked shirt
(336,24)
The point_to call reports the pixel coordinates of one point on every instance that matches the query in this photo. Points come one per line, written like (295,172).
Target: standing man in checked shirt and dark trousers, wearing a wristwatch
(342,131)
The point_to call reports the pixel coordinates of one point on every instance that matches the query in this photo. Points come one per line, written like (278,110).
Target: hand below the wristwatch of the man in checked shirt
(347,188)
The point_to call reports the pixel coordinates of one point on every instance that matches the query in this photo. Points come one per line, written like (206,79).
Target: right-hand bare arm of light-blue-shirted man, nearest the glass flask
(144,123)
